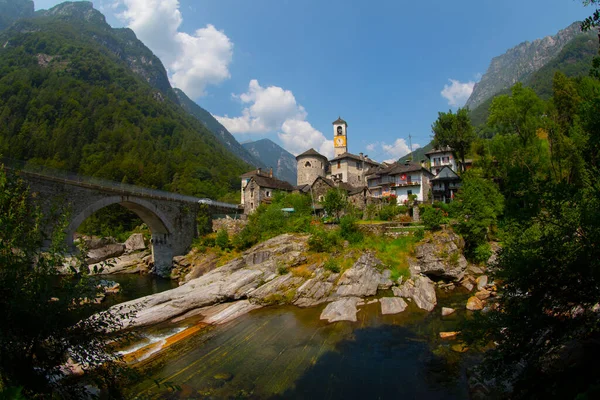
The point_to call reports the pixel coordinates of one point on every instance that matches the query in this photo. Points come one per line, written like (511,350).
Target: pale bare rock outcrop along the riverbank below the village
(281,270)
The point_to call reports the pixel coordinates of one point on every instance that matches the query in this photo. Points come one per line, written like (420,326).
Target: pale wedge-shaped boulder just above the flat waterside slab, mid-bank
(363,279)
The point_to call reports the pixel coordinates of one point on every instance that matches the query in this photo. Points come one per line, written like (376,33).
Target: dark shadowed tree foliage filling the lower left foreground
(44,320)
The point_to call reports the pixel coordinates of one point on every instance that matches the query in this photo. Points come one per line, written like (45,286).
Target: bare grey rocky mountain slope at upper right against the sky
(519,63)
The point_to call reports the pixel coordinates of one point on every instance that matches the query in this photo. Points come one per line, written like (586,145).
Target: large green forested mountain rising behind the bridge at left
(79,95)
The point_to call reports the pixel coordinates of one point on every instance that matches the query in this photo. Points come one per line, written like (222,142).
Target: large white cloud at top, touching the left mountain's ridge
(193,61)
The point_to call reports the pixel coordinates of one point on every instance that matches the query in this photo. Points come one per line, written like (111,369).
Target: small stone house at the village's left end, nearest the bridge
(258,188)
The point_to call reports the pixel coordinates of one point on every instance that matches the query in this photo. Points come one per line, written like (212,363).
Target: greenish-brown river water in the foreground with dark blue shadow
(288,353)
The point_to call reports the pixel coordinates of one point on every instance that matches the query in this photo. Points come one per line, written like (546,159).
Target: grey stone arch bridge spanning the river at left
(171,217)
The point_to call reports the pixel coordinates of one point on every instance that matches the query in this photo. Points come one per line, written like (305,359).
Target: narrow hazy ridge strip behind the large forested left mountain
(220,132)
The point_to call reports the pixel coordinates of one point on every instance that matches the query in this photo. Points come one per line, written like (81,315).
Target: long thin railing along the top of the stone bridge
(104,184)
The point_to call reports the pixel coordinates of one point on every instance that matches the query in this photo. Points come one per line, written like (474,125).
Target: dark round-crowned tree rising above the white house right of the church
(454,130)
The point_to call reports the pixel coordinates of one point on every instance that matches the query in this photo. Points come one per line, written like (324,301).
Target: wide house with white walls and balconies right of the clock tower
(401,180)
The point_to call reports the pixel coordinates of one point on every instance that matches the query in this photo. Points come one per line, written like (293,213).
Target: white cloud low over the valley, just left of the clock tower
(274,109)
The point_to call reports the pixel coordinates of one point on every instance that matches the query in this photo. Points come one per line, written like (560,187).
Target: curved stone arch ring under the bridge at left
(160,226)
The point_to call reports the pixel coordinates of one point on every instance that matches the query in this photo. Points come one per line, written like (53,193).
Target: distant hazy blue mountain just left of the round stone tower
(274,156)
